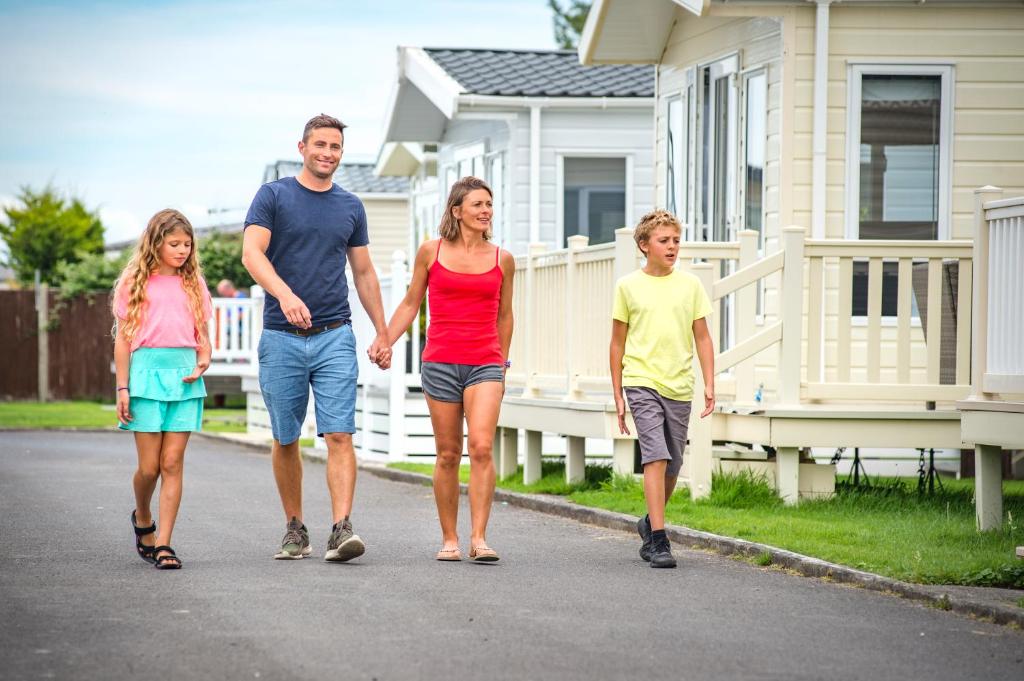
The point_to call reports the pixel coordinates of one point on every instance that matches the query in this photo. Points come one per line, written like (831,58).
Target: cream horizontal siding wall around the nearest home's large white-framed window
(987,49)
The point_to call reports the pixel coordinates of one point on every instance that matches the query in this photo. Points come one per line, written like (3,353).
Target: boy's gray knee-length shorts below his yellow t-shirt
(662,425)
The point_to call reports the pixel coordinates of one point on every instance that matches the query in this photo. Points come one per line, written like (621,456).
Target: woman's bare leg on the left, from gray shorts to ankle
(447,421)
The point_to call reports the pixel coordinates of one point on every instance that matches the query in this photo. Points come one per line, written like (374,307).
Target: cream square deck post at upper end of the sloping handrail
(792,296)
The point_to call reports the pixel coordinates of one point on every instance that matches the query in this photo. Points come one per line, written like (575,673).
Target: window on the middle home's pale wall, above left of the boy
(593,198)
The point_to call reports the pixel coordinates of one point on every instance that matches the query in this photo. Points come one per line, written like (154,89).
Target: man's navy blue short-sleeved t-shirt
(311,233)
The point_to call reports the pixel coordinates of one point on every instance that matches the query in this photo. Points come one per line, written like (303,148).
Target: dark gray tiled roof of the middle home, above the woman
(541,73)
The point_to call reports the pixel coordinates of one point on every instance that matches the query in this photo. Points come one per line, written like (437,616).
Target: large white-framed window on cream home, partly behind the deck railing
(898,163)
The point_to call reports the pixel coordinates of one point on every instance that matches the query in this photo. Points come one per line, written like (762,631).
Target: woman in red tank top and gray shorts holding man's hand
(466,357)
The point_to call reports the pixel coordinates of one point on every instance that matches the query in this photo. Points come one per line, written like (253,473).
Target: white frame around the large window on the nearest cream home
(856,73)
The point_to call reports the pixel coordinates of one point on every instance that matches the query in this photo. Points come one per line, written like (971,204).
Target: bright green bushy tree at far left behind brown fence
(49,230)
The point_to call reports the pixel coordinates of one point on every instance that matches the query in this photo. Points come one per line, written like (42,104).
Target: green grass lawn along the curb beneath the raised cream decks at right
(888,529)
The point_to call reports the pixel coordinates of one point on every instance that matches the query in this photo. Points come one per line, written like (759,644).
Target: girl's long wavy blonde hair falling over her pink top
(146,261)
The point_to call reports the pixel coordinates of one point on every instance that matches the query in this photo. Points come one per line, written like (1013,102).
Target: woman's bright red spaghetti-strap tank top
(463,326)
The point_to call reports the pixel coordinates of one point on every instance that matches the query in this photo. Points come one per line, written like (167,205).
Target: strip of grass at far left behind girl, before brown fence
(96,415)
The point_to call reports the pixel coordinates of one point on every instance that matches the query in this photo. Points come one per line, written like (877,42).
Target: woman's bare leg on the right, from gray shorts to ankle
(484,402)
